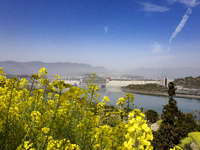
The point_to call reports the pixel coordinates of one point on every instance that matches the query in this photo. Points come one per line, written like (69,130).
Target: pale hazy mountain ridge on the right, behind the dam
(171,73)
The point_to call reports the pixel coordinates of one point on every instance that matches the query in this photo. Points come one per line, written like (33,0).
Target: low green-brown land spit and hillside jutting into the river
(188,87)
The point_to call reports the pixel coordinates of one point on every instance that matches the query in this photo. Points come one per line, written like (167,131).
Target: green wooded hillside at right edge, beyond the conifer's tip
(188,82)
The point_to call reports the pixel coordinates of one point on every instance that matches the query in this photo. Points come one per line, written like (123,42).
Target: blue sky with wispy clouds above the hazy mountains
(116,34)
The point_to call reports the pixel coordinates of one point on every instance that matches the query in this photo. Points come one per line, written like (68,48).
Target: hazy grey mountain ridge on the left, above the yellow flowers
(61,68)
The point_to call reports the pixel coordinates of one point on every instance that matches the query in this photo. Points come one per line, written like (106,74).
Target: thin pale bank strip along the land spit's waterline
(160,93)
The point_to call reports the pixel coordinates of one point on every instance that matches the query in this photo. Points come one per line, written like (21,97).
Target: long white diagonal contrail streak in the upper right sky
(181,25)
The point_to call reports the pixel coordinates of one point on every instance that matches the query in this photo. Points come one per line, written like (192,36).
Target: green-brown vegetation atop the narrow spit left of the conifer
(147,87)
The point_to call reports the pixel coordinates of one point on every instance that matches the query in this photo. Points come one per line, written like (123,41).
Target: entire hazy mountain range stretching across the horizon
(67,68)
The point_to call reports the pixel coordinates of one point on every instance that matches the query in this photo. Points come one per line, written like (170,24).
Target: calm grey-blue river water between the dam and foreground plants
(148,101)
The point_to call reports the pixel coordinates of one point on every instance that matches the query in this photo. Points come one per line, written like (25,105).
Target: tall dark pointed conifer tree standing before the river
(168,135)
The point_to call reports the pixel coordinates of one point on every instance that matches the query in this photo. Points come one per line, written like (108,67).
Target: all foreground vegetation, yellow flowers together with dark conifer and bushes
(47,118)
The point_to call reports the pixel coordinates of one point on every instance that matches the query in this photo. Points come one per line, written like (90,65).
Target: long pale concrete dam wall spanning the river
(108,82)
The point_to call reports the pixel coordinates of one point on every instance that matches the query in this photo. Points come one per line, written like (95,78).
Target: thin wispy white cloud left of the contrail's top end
(154,8)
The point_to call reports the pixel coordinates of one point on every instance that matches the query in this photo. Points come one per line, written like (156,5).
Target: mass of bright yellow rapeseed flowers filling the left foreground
(44,118)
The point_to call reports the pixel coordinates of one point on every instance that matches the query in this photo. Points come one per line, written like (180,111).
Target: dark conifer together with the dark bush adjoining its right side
(175,125)
